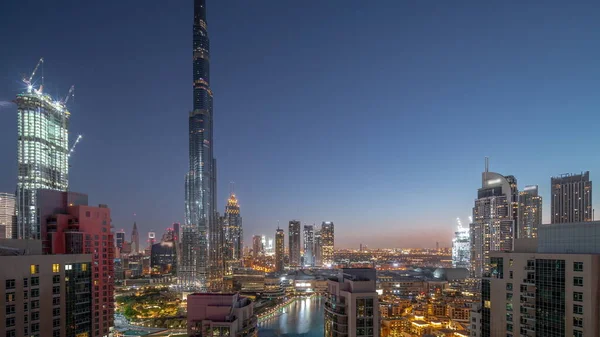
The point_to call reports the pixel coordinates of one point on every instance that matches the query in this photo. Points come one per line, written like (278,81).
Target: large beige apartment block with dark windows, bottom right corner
(549,286)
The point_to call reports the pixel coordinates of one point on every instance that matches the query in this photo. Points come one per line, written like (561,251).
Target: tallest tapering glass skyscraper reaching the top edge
(201,229)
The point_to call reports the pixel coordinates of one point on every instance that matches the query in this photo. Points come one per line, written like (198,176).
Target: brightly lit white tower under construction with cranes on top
(42,155)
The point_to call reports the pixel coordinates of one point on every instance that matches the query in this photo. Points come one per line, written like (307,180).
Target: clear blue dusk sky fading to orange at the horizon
(376,115)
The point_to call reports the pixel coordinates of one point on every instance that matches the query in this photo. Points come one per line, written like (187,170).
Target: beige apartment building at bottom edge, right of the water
(352,305)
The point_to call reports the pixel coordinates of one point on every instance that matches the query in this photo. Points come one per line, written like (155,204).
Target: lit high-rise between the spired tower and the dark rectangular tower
(530,212)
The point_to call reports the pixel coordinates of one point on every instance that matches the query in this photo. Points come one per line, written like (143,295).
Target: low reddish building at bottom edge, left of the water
(210,314)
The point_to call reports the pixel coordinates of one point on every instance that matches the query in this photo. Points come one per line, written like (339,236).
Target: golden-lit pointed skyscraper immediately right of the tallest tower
(232,235)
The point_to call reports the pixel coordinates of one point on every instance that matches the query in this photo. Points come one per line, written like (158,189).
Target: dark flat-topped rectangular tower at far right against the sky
(571,198)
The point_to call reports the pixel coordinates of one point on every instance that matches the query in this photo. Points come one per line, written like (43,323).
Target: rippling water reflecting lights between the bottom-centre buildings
(303,318)
